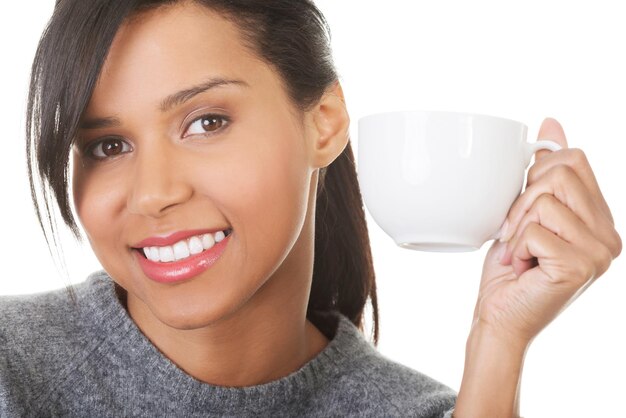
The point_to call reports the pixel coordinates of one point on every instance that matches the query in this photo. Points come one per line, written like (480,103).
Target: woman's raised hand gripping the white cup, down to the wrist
(560,237)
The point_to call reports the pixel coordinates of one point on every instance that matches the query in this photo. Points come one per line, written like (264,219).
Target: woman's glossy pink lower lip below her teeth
(186,269)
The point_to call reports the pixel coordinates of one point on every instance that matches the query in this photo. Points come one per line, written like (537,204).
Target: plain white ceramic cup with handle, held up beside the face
(442,181)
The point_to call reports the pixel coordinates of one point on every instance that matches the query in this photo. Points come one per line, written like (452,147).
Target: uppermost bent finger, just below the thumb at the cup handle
(577,161)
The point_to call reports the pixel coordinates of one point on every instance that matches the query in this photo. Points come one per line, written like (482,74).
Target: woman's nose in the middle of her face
(159,182)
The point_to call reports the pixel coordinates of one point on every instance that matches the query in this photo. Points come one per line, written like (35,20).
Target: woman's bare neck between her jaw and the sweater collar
(239,351)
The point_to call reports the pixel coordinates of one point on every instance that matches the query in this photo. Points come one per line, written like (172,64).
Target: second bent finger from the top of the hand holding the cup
(561,182)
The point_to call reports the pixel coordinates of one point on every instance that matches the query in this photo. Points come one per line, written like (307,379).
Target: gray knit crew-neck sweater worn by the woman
(89,359)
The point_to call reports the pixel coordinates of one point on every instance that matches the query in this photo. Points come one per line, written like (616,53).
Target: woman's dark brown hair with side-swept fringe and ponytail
(290,35)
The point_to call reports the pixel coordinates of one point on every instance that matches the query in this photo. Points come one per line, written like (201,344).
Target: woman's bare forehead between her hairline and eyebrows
(170,48)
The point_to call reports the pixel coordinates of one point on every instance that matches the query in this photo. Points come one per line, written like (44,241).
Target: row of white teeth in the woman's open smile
(185,248)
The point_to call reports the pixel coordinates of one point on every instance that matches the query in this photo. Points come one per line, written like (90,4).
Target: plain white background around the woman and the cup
(521,60)
